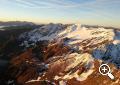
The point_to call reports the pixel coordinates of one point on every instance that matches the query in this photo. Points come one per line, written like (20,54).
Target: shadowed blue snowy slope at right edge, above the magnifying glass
(109,53)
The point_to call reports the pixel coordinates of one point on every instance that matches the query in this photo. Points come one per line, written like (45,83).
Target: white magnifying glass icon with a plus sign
(104,69)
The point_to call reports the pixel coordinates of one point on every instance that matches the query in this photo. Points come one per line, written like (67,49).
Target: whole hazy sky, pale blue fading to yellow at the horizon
(100,12)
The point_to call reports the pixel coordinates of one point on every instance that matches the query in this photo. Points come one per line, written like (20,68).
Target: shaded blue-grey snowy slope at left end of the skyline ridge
(46,32)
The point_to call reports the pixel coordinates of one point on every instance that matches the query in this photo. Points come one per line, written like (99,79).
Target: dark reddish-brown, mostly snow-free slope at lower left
(28,66)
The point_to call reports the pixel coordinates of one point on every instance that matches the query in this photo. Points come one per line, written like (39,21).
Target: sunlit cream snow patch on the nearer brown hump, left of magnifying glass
(80,59)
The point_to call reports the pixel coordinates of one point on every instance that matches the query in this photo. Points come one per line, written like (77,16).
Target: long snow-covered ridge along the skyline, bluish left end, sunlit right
(71,34)
